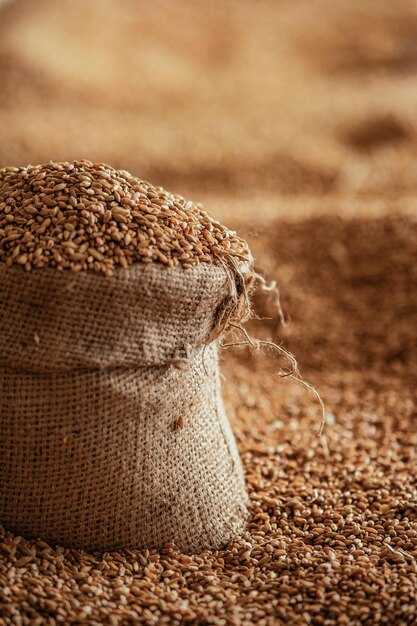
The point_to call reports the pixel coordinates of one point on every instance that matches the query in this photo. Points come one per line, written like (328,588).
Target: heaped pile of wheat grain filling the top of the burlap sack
(89,216)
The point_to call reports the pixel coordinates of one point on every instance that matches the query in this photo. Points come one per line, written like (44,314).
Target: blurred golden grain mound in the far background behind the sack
(216,98)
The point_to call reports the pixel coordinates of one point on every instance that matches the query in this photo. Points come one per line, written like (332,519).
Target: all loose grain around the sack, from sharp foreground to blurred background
(295,123)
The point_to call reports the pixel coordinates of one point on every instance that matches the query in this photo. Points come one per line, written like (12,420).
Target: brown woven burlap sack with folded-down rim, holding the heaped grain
(112,426)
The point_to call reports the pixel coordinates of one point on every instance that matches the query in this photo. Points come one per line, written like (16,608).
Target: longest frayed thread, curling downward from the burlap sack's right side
(293,373)
